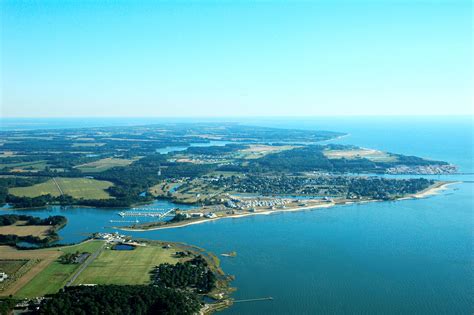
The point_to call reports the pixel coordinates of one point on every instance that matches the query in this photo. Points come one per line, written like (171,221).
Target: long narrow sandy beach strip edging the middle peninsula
(434,189)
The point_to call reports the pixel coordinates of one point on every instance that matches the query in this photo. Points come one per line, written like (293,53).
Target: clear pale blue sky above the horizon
(236,58)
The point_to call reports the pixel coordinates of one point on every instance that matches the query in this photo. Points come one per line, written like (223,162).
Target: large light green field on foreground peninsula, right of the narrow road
(126,267)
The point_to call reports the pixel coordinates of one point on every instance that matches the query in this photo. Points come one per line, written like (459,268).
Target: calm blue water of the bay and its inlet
(412,256)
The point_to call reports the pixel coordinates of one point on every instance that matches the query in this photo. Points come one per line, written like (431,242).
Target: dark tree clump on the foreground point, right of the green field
(192,274)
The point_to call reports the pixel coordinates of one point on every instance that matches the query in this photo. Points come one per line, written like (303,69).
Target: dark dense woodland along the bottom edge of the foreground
(120,300)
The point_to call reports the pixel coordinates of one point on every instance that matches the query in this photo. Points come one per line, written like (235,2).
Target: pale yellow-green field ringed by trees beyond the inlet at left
(85,188)
